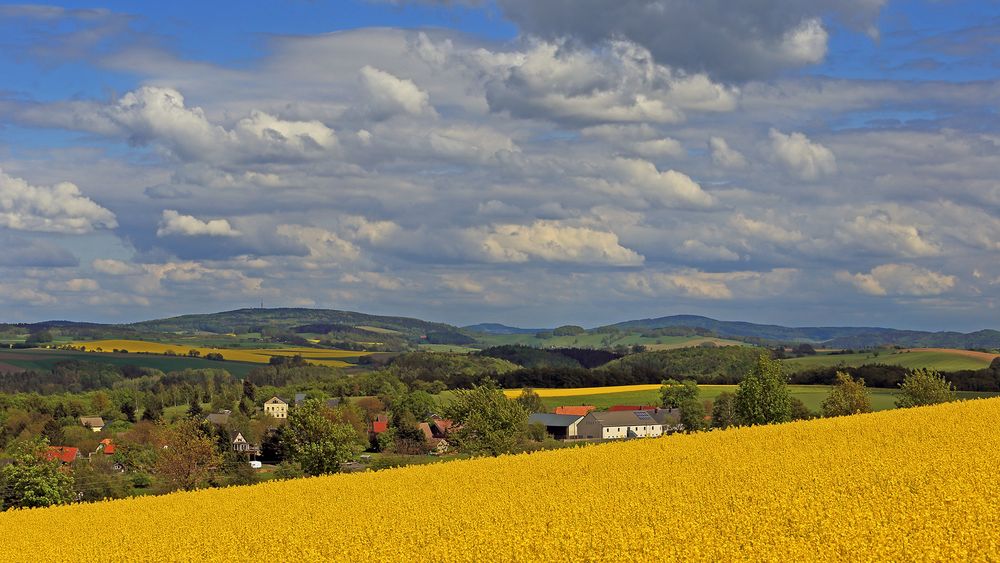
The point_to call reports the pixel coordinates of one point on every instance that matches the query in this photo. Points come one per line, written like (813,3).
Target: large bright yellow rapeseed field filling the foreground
(915,484)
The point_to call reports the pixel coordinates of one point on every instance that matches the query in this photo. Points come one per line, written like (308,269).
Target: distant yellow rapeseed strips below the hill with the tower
(252,355)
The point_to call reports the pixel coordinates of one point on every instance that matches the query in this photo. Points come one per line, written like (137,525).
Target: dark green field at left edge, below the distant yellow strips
(44,360)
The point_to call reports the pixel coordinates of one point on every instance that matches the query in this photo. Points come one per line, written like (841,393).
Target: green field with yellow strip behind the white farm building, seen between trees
(603,397)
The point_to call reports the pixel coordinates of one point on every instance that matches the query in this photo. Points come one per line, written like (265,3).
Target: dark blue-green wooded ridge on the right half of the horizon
(836,337)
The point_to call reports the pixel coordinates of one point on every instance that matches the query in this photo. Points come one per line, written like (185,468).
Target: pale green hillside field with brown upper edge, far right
(941,360)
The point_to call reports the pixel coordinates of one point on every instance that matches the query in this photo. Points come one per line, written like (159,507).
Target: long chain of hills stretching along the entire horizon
(655,333)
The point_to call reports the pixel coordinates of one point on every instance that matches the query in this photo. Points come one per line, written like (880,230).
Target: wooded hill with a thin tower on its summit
(246,320)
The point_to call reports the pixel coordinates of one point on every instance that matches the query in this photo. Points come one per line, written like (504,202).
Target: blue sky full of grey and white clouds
(535,163)
